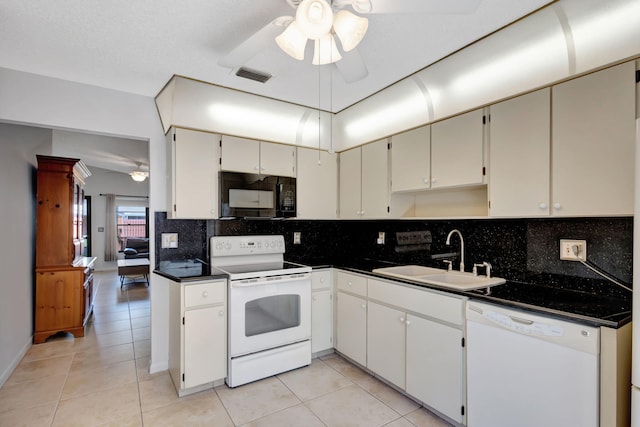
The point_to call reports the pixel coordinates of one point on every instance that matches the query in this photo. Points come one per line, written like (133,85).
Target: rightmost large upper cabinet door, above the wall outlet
(593,134)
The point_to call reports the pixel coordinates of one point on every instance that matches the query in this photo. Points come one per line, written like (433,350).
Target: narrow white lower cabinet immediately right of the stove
(321,311)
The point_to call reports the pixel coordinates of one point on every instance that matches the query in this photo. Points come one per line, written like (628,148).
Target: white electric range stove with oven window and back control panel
(269,307)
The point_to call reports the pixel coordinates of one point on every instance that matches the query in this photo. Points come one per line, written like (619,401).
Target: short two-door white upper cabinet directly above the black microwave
(251,156)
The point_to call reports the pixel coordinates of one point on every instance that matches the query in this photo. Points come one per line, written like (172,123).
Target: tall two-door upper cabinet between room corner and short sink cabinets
(364,181)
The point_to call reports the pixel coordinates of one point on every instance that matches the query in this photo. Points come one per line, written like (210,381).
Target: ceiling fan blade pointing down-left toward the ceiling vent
(260,40)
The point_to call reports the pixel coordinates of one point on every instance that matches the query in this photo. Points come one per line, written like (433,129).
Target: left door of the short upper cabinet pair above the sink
(411,160)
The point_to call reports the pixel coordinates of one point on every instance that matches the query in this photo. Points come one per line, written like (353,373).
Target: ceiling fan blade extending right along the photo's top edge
(436,7)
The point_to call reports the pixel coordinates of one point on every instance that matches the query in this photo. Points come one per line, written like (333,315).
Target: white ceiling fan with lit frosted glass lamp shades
(324,19)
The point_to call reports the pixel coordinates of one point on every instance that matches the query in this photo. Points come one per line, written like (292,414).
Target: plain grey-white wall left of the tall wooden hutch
(17,228)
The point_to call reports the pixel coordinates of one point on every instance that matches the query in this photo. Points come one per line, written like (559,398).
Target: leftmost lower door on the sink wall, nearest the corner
(352,327)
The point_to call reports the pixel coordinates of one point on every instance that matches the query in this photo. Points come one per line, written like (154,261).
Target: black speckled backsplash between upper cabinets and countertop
(514,247)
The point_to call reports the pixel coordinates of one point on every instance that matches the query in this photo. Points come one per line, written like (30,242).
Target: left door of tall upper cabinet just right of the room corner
(350,183)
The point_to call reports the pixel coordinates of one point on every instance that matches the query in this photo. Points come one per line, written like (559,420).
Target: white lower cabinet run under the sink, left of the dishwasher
(411,337)
